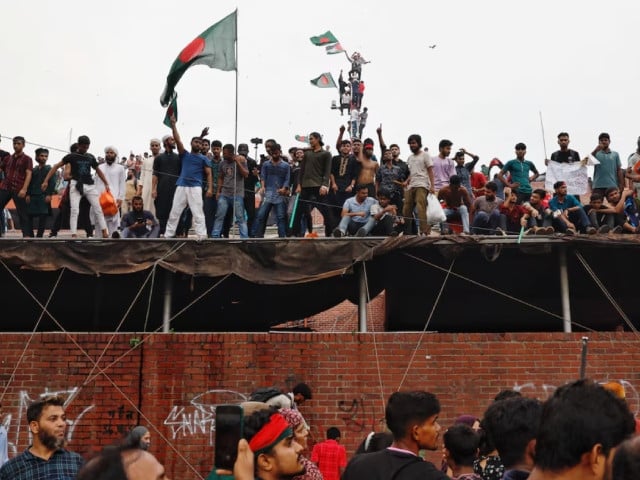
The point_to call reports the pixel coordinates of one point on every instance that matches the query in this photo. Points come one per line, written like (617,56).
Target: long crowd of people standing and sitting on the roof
(211,187)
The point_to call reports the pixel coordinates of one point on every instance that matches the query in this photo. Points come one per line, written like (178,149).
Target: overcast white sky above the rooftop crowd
(99,68)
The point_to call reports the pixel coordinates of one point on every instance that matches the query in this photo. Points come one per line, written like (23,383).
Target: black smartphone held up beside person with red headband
(228,434)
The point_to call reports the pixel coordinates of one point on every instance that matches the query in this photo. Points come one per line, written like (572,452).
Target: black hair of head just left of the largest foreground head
(512,424)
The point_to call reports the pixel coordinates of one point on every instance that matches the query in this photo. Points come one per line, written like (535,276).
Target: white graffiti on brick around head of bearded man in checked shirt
(17,431)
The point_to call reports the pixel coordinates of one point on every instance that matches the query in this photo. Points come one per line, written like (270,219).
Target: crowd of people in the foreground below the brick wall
(583,430)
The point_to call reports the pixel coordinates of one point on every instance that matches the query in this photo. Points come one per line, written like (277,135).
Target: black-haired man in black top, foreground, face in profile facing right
(412,418)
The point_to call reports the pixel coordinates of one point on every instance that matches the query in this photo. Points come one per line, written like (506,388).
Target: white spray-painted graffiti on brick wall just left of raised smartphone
(199,418)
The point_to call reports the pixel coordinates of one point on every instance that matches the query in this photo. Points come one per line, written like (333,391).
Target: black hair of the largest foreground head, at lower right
(578,416)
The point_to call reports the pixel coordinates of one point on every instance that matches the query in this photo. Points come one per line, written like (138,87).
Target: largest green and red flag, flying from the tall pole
(215,47)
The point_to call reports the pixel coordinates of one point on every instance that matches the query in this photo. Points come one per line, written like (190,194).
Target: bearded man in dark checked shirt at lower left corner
(46,458)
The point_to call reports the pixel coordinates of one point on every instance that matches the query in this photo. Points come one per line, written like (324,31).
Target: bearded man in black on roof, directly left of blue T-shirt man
(166,170)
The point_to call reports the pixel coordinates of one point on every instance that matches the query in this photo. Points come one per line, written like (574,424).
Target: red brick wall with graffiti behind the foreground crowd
(173,380)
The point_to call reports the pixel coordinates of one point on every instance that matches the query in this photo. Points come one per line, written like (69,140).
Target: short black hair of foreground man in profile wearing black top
(405,409)
